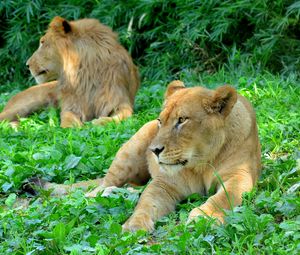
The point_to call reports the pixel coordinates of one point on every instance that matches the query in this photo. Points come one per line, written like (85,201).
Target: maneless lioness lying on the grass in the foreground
(203,139)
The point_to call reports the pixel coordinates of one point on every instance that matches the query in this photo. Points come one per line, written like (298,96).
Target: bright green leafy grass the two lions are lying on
(268,222)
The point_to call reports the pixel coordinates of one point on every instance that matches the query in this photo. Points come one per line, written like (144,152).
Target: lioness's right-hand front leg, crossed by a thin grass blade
(228,196)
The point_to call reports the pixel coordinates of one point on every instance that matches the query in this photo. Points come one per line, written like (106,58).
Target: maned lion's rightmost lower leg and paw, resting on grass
(122,113)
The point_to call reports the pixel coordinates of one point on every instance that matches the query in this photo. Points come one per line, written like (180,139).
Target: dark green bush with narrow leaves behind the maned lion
(165,37)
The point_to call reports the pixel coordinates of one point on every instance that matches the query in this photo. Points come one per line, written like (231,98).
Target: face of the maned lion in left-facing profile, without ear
(44,64)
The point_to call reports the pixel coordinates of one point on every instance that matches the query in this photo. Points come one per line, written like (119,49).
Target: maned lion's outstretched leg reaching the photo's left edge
(30,100)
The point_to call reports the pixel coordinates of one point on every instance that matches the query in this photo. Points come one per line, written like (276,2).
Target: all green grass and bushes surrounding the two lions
(209,42)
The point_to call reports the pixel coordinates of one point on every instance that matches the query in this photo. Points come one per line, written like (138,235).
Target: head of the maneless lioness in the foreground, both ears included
(191,126)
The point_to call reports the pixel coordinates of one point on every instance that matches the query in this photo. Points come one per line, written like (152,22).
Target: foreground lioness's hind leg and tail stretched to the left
(129,165)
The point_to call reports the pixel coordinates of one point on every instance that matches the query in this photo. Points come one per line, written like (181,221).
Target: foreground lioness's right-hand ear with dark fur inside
(223,100)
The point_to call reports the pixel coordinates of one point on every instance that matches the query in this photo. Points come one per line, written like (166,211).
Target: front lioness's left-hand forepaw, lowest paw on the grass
(142,222)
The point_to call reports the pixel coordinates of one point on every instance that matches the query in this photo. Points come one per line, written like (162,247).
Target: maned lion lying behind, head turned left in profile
(96,78)
